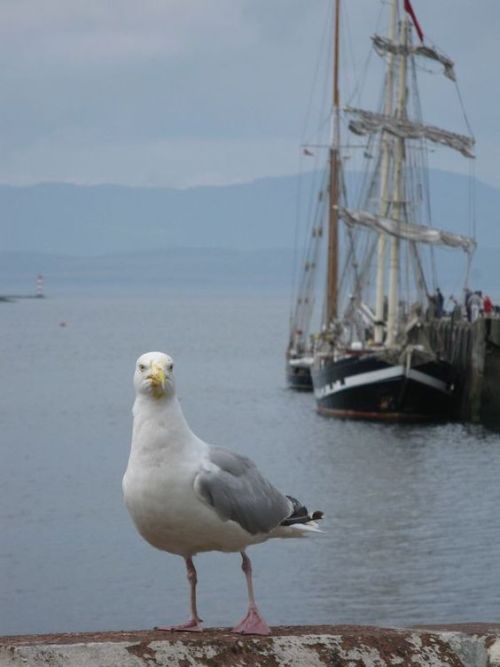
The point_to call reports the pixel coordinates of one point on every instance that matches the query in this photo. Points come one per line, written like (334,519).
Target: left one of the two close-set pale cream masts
(384,187)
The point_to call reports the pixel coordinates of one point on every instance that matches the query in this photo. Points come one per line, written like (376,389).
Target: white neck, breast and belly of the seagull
(159,491)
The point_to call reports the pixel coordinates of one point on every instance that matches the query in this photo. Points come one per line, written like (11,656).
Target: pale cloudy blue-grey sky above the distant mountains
(182,93)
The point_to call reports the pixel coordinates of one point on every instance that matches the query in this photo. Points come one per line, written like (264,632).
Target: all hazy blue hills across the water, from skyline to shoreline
(212,237)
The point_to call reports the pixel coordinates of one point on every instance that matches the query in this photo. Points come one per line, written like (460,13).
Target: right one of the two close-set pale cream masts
(397,204)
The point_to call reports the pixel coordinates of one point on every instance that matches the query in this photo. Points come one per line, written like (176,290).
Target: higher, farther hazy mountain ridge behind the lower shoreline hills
(108,219)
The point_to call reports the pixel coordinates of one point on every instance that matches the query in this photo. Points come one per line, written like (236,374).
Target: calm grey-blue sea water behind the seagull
(412,527)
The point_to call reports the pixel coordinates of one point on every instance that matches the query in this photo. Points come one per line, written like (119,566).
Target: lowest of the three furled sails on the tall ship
(409,232)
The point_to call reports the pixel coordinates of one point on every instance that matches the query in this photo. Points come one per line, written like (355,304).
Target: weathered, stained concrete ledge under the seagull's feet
(470,645)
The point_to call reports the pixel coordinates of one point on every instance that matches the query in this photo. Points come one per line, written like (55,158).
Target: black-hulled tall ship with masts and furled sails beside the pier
(371,356)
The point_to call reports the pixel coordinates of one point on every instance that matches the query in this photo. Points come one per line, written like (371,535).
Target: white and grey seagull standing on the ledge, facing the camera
(187,497)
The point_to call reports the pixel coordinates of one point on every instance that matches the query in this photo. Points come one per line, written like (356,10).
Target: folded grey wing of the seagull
(238,491)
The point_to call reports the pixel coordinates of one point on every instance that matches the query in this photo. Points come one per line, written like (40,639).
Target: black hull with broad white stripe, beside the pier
(367,387)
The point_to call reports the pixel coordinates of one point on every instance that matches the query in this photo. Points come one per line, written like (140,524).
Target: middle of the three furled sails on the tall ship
(368,121)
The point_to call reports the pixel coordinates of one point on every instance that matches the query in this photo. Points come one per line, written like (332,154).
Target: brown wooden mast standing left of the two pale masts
(334,189)
